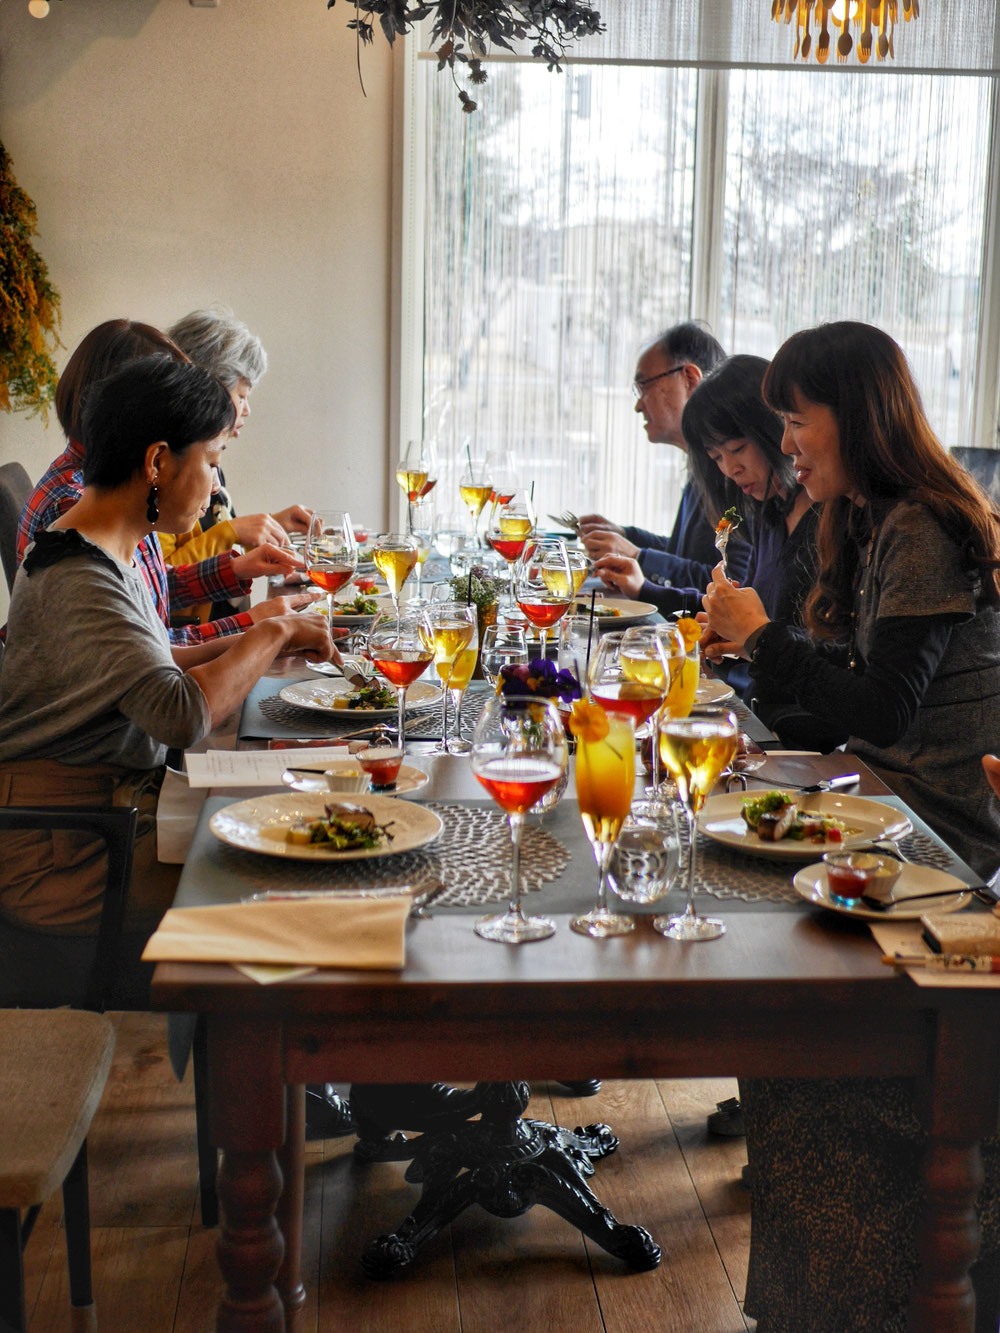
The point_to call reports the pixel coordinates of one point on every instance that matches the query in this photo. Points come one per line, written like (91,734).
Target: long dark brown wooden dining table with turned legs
(789,991)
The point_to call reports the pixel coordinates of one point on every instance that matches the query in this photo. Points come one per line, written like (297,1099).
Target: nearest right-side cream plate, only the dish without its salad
(722,820)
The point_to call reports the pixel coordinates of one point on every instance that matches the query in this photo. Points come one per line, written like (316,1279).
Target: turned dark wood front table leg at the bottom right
(963,1111)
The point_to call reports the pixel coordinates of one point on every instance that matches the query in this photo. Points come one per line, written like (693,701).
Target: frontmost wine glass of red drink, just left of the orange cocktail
(518,755)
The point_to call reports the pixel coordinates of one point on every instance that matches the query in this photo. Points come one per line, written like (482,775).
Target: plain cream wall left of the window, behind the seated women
(183,157)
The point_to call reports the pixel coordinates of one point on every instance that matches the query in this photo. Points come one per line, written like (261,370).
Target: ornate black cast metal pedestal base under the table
(501,1162)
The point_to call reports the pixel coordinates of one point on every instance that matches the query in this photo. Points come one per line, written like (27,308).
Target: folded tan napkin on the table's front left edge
(335,932)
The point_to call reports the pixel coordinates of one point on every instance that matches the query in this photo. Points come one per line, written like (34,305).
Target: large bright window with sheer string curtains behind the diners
(575,215)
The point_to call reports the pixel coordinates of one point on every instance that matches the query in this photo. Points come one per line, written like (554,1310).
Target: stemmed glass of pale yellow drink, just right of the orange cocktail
(697,750)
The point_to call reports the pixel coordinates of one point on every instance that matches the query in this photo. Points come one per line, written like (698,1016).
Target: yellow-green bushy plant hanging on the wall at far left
(29,306)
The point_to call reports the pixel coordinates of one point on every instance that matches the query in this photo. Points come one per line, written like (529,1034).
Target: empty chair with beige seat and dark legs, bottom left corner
(54,1064)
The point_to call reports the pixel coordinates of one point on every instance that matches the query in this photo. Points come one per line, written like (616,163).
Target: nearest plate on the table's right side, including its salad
(797,826)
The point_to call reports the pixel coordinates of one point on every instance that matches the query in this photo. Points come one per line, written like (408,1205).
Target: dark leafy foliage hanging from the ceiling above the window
(467,29)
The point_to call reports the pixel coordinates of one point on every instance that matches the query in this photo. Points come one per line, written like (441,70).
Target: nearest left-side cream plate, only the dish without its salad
(262,824)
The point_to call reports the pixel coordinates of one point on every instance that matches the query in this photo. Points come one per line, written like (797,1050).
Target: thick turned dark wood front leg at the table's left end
(249,1123)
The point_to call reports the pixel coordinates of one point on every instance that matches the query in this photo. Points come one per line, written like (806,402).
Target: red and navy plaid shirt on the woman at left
(170,586)
